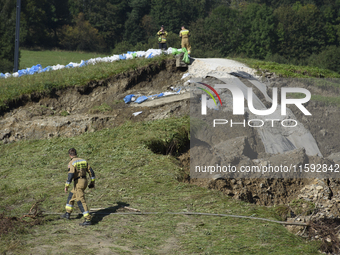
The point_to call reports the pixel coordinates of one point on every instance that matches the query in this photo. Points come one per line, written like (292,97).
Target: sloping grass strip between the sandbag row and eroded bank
(13,88)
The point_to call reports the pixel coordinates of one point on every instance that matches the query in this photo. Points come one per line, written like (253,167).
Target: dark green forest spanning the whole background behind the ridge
(286,31)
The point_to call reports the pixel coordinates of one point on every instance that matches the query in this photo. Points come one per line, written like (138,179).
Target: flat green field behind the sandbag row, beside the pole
(46,58)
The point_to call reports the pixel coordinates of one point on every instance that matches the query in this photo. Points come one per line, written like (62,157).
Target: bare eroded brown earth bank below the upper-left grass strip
(96,105)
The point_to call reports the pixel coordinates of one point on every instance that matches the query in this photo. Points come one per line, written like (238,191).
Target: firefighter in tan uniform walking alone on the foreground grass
(78,168)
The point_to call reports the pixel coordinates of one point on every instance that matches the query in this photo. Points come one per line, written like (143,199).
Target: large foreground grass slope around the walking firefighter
(128,172)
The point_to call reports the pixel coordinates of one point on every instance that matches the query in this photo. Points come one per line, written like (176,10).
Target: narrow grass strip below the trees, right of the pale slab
(284,70)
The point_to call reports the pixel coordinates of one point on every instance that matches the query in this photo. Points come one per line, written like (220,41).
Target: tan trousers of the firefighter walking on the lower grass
(77,194)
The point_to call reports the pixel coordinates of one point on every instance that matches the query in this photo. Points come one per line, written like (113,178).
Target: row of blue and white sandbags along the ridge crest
(129,55)
